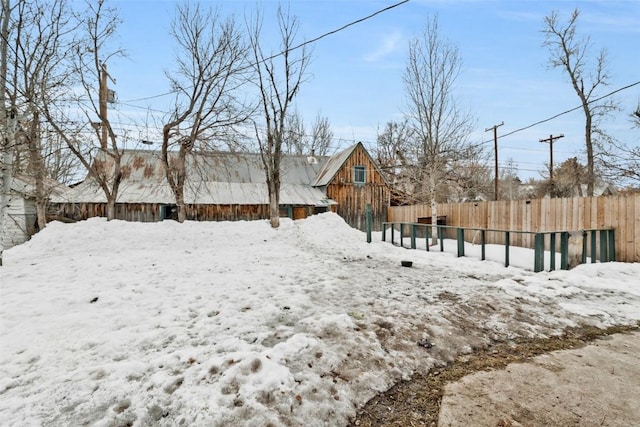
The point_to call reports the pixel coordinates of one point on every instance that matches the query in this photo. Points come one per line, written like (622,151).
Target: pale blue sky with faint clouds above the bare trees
(355,79)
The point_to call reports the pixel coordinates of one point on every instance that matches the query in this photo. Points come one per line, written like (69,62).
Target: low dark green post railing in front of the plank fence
(556,241)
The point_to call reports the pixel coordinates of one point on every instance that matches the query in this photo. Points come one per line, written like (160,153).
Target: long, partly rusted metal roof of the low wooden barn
(212,178)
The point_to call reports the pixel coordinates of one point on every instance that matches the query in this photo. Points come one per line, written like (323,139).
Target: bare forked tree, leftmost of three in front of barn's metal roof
(101,156)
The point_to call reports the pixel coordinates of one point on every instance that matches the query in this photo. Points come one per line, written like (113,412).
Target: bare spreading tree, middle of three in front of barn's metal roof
(210,61)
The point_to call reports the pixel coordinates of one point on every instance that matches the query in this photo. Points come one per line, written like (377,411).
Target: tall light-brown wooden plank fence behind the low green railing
(622,213)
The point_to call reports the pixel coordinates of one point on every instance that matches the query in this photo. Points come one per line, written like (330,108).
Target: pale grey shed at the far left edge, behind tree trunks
(21,214)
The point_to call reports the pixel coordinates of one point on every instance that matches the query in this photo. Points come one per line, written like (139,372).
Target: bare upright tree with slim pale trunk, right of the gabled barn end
(440,127)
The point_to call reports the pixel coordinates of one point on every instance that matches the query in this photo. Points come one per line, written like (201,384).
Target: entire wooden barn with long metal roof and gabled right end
(232,186)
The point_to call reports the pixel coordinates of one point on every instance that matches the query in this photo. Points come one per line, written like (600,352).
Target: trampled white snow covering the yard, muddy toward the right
(234,323)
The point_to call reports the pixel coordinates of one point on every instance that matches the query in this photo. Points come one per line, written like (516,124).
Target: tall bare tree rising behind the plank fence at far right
(571,53)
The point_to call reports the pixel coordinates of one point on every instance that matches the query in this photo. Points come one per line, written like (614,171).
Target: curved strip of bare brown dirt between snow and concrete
(417,402)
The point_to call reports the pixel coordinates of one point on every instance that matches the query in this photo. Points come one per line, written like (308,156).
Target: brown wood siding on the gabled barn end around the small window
(352,198)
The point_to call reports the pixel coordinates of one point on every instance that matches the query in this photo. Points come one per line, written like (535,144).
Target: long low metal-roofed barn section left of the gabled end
(219,186)
